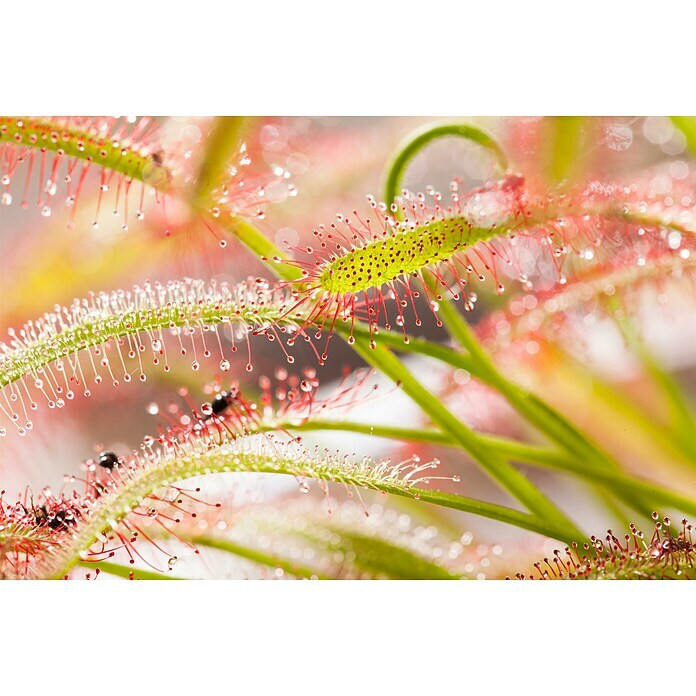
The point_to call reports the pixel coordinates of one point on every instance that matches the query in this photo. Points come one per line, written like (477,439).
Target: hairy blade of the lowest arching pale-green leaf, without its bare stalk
(136,491)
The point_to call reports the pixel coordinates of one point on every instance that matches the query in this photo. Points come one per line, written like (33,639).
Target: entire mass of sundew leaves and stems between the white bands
(323,348)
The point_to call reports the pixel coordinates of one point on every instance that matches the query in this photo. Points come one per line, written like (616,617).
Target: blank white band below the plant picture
(346,637)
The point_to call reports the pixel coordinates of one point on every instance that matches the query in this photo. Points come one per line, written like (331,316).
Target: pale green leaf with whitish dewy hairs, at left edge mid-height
(113,337)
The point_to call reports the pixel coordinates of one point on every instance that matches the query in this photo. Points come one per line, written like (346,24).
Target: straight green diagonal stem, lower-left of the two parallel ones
(499,469)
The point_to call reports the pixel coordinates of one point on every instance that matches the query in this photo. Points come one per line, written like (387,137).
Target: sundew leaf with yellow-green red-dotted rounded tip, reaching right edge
(375,269)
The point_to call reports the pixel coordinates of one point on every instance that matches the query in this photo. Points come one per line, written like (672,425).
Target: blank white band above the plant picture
(290,57)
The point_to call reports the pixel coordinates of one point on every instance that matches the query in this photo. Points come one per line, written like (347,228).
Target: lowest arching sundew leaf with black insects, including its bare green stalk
(126,496)
